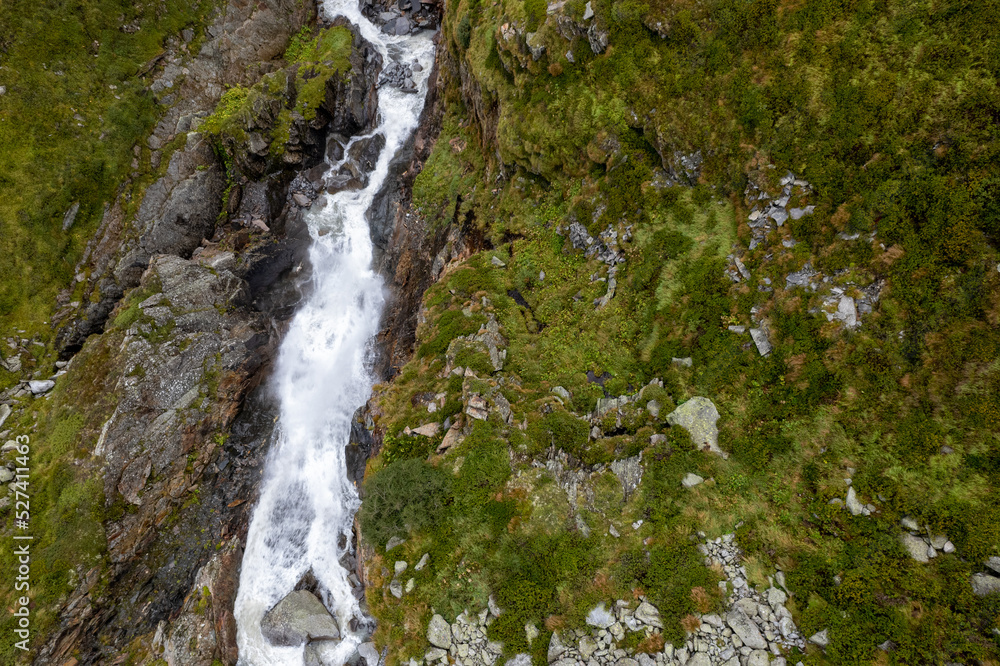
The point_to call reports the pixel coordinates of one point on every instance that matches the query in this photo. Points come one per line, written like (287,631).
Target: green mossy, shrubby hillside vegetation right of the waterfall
(888,109)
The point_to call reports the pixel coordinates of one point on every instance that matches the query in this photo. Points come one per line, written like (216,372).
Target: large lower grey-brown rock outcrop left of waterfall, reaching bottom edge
(173,370)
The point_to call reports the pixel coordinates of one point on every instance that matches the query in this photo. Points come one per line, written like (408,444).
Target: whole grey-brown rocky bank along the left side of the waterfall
(186,296)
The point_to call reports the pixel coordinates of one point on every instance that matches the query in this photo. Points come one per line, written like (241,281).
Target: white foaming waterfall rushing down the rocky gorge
(303,520)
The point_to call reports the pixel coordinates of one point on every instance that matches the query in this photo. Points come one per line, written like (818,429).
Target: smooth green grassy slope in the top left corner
(75,105)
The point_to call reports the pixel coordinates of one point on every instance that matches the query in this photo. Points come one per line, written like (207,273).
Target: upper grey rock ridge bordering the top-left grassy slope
(179,209)
